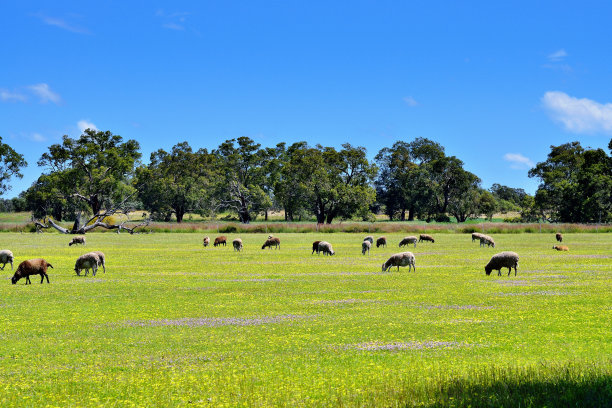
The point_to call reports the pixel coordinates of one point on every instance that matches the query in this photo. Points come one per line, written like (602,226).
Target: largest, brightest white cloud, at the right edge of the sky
(578,115)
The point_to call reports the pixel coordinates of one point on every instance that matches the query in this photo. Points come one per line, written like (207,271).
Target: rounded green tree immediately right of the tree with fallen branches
(177,182)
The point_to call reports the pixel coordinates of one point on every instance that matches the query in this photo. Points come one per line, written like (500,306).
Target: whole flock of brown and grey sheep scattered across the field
(93,260)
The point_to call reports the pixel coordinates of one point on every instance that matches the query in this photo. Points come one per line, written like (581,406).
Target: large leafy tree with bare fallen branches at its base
(91,174)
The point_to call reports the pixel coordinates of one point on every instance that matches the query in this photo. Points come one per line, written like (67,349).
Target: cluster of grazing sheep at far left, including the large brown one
(91,260)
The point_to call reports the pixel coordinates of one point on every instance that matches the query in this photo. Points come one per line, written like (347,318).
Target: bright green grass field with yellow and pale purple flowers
(174,324)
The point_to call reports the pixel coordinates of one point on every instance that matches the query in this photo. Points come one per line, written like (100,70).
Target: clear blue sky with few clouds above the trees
(496,83)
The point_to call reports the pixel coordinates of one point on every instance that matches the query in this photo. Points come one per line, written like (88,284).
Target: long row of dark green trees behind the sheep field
(409,180)
